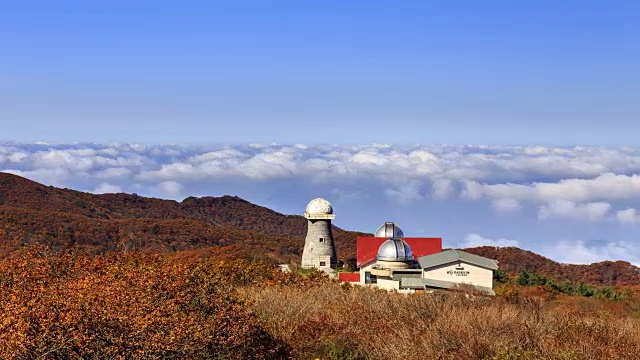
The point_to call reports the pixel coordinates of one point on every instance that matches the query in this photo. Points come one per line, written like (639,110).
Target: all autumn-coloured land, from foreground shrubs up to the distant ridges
(126,277)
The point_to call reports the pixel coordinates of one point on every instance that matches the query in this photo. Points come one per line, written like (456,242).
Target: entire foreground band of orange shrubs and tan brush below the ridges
(193,304)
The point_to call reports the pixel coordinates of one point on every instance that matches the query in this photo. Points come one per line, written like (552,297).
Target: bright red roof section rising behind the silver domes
(368,247)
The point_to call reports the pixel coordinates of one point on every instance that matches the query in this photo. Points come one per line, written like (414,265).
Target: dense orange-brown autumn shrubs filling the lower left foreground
(125,306)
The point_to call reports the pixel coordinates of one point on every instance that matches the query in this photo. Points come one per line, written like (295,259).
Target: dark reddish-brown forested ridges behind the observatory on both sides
(67,219)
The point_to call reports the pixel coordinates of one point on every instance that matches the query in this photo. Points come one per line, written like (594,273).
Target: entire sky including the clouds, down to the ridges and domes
(177,99)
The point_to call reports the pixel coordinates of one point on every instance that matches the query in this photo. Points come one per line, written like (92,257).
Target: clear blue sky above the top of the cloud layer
(428,72)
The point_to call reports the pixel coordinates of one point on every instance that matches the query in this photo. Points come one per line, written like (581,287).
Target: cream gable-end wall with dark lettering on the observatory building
(471,274)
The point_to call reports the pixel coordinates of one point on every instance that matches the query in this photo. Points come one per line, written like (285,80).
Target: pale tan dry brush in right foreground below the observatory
(374,324)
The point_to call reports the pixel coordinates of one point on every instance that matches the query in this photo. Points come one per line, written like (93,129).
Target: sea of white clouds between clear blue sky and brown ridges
(550,188)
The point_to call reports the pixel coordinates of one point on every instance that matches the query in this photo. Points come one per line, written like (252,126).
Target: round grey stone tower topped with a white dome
(319,251)
